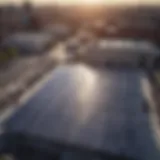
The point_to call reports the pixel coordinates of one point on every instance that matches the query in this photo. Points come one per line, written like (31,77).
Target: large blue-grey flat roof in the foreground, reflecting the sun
(94,107)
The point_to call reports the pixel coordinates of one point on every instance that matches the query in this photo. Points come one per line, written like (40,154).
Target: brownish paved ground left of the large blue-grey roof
(24,72)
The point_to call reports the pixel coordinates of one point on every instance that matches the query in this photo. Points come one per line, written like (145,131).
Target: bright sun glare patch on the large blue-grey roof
(89,79)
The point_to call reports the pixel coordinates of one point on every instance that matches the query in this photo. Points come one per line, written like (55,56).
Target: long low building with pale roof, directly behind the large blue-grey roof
(119,52)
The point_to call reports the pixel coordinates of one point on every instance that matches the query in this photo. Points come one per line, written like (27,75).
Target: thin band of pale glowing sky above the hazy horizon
(83,2)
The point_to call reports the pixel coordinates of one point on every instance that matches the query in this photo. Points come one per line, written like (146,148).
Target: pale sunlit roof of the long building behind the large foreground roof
(126,45)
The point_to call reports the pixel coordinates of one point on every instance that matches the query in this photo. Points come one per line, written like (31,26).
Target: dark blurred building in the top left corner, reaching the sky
(15,18)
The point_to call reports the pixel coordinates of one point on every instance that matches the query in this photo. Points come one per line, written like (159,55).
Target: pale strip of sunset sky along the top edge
(65,2)
